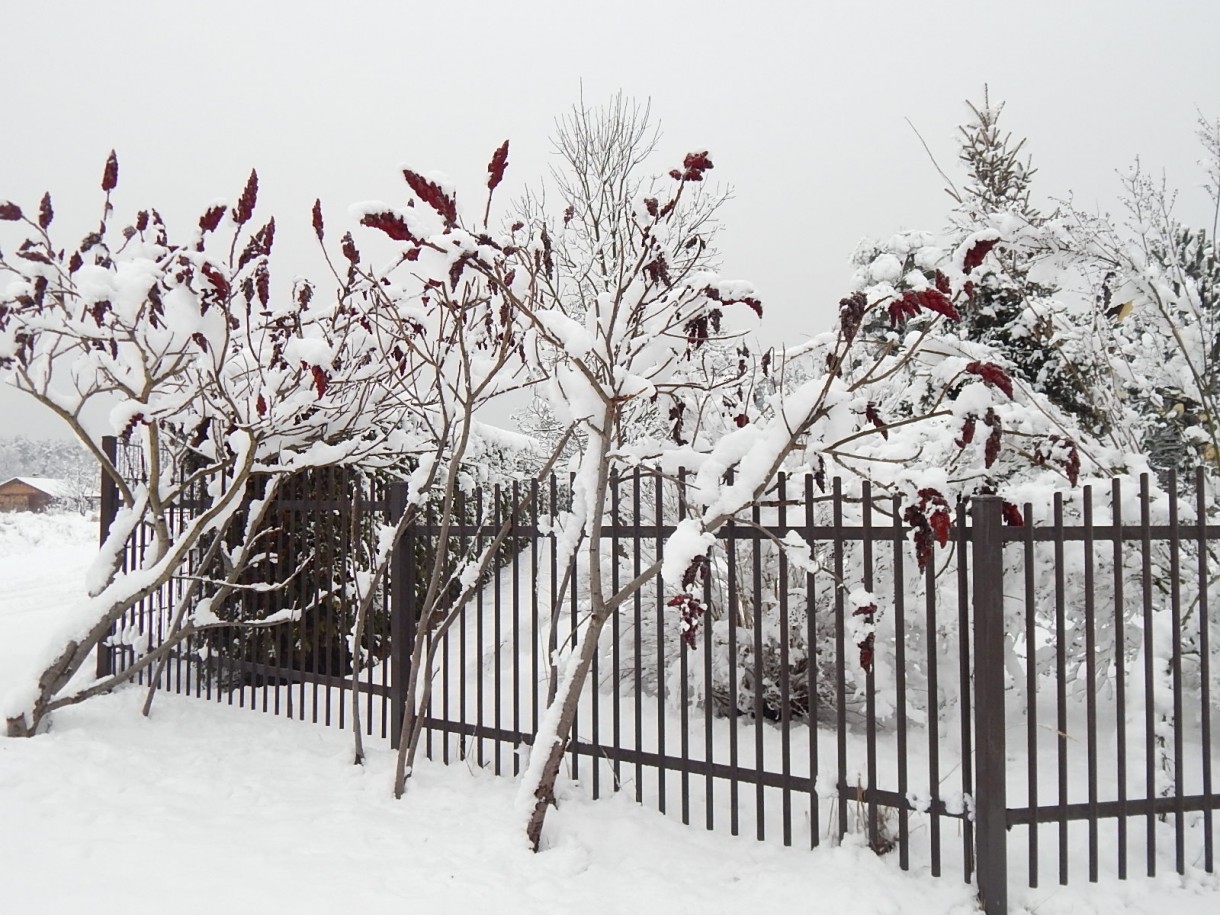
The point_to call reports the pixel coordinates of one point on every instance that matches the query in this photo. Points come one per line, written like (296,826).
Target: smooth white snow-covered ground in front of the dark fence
(207,808)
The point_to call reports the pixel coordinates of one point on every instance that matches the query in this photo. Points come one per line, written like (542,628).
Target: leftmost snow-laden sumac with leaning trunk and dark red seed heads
(230,385)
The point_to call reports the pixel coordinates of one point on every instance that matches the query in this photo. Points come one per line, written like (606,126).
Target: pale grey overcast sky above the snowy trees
(803,107)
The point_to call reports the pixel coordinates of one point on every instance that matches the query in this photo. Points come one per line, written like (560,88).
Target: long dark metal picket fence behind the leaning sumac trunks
(1056,678)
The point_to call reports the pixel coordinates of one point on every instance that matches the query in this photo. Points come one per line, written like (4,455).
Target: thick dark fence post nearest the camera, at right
(991,797)
